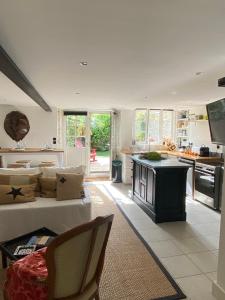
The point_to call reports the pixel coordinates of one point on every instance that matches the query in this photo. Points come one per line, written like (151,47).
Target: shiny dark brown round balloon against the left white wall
(16,125)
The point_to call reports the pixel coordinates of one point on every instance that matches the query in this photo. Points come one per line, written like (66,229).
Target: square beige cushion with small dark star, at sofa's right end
(69,186)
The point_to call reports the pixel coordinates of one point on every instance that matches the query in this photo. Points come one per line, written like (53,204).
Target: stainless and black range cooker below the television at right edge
(208,183)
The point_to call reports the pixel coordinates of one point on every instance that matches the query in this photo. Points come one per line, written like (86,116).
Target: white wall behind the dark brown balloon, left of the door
(43,127)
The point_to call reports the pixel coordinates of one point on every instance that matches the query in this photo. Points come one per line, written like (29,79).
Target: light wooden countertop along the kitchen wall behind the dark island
(175,153)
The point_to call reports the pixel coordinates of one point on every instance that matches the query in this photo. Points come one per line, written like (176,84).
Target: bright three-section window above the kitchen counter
(153,126)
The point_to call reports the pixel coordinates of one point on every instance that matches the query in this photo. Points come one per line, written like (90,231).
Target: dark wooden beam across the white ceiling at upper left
(10,69)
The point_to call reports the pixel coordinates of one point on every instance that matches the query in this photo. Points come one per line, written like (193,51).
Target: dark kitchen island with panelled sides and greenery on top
(159,188)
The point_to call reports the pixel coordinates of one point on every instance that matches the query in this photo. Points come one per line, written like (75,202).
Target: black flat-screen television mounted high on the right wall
(216,116)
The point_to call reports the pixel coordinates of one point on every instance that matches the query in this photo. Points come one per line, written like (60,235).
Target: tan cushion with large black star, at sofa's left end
(10,194)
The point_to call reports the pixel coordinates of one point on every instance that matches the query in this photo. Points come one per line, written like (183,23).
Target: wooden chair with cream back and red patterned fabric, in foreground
(74,262)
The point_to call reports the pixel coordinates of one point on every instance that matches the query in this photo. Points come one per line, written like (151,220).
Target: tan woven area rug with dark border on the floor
(131,270)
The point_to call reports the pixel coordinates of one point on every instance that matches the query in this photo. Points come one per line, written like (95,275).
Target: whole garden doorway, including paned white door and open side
(88,141)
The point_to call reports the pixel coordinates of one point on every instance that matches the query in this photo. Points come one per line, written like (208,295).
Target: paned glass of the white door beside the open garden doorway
(75,130)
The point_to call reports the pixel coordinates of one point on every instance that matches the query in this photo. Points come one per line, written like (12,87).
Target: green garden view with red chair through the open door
(100,142)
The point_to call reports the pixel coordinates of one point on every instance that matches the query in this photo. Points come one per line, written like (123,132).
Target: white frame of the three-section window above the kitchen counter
(146,141)
